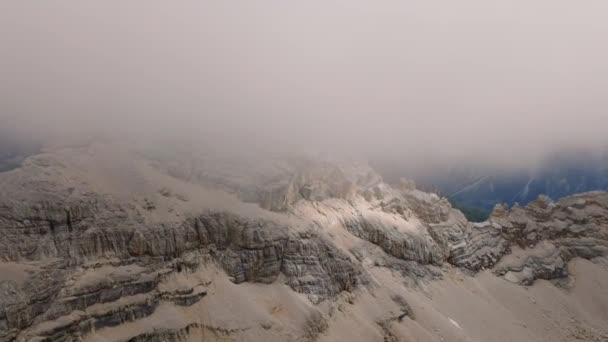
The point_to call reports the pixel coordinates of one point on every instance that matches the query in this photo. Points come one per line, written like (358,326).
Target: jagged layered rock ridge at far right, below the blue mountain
(576,226)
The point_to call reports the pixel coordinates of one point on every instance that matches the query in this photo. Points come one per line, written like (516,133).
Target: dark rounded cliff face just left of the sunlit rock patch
(259,252)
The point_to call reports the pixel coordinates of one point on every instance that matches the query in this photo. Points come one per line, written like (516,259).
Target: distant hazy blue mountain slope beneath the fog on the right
(476,190)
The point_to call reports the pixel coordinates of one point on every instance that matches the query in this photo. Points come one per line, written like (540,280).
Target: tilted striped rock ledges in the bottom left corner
(64,302)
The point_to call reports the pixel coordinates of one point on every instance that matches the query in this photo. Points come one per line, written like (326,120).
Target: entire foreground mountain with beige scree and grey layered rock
(113,242)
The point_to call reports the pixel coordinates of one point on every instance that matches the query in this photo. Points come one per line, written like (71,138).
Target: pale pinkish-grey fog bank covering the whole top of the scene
(499,82)
